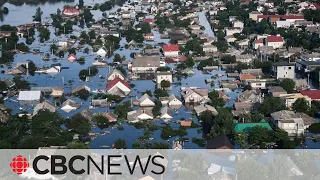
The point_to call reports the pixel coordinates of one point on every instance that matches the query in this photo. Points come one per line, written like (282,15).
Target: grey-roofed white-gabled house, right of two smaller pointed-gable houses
(195,95)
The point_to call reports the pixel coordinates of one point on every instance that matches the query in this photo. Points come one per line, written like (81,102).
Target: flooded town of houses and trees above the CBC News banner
(159,74)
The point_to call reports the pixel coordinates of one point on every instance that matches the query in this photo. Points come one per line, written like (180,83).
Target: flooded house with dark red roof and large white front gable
(118,87)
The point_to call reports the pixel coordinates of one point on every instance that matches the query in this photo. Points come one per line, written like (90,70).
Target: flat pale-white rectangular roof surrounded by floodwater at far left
(29,97)
